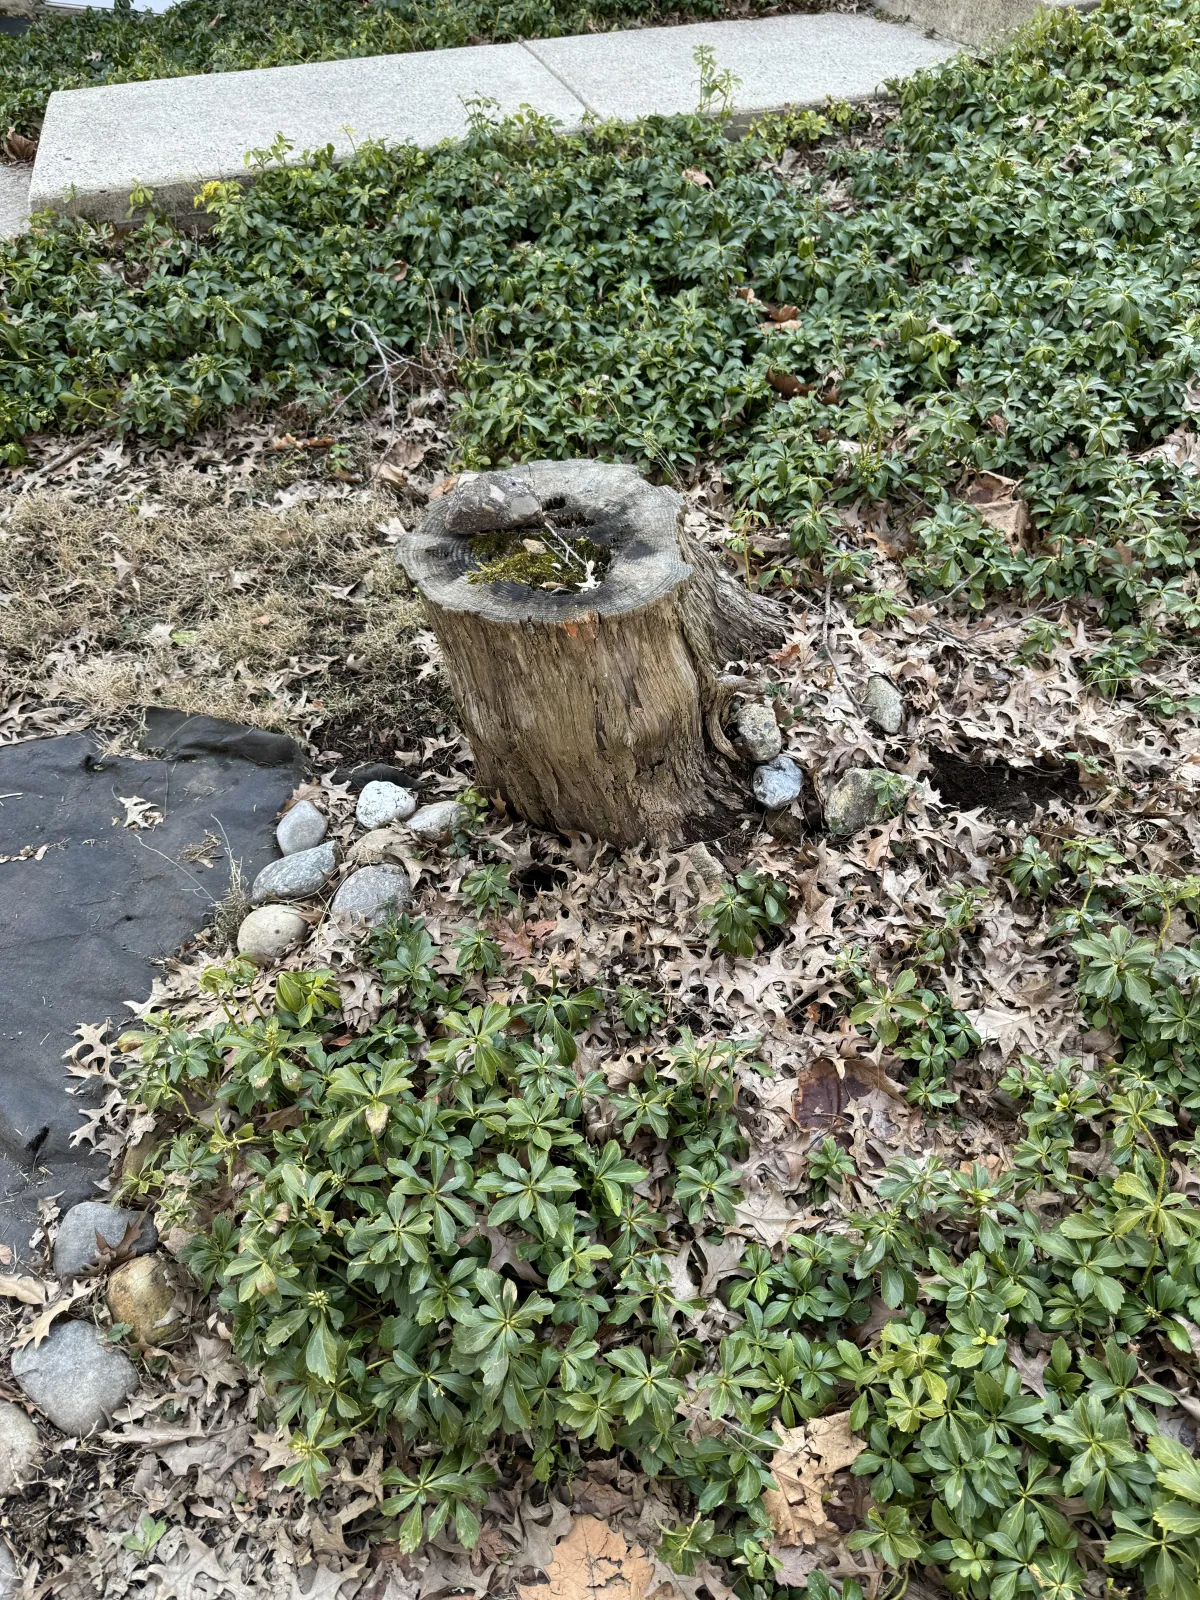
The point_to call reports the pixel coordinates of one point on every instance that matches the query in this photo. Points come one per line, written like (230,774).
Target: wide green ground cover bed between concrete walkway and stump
(1007,284)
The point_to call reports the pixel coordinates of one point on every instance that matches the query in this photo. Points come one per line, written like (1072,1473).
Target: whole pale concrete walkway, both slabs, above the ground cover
(175,135)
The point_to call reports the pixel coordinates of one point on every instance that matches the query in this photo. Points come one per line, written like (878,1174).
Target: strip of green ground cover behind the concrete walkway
(233,36)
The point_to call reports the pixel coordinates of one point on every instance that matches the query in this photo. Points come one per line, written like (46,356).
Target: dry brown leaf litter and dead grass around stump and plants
(188,1447)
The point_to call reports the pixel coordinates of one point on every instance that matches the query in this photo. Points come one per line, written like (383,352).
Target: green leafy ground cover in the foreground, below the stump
(442,1223)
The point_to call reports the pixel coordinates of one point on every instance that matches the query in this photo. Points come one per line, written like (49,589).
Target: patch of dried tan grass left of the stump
(215,601)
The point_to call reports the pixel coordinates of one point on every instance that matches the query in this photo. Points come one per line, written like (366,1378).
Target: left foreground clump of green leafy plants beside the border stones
(366,1201)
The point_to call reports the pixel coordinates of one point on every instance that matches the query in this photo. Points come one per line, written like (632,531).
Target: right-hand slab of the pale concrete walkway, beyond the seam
(780,60)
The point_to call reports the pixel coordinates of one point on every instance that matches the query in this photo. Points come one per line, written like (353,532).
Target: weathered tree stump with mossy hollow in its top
(601,711)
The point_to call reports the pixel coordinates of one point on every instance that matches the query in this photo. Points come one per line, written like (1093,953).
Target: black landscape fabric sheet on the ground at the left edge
(81,927)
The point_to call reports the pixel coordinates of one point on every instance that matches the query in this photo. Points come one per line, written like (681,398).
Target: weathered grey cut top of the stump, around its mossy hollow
(615,508)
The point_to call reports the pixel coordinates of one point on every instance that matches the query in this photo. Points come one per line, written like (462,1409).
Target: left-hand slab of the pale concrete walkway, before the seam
(175,135)
